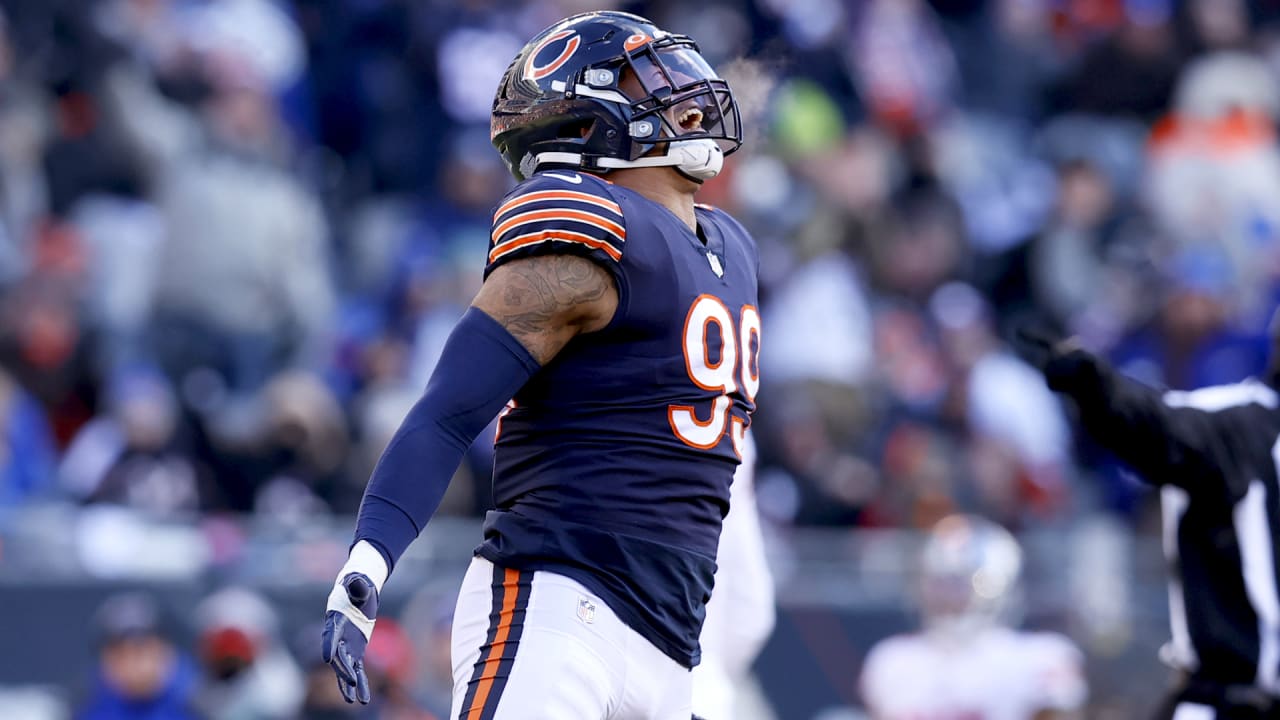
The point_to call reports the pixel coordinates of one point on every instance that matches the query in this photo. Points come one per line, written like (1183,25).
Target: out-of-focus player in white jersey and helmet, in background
(967,663)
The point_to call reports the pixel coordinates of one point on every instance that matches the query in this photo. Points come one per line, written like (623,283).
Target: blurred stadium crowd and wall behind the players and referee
(234,235)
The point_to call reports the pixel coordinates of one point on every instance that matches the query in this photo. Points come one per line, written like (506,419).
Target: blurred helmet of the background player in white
(970,575)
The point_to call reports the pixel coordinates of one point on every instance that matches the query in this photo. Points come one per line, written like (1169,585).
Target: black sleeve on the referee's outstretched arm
(1165,444)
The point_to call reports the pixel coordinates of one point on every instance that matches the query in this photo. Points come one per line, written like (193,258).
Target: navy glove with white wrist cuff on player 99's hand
(349,625)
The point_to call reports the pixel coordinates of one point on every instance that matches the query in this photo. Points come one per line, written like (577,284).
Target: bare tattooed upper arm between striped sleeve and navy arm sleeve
(547,300)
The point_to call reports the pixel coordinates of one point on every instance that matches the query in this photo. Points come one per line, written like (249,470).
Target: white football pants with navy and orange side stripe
(540,646)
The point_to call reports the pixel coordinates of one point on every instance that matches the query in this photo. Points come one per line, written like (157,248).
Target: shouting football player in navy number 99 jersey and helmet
(620,320)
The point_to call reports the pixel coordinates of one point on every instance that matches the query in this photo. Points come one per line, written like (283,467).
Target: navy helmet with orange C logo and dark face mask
(607,90)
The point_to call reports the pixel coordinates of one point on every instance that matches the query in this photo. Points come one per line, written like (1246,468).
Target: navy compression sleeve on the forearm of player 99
(481,370)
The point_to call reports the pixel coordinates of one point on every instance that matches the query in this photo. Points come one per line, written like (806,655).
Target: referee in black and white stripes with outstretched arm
(1214,454)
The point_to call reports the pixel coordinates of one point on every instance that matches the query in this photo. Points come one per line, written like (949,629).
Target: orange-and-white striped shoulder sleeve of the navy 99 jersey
(559,211)
